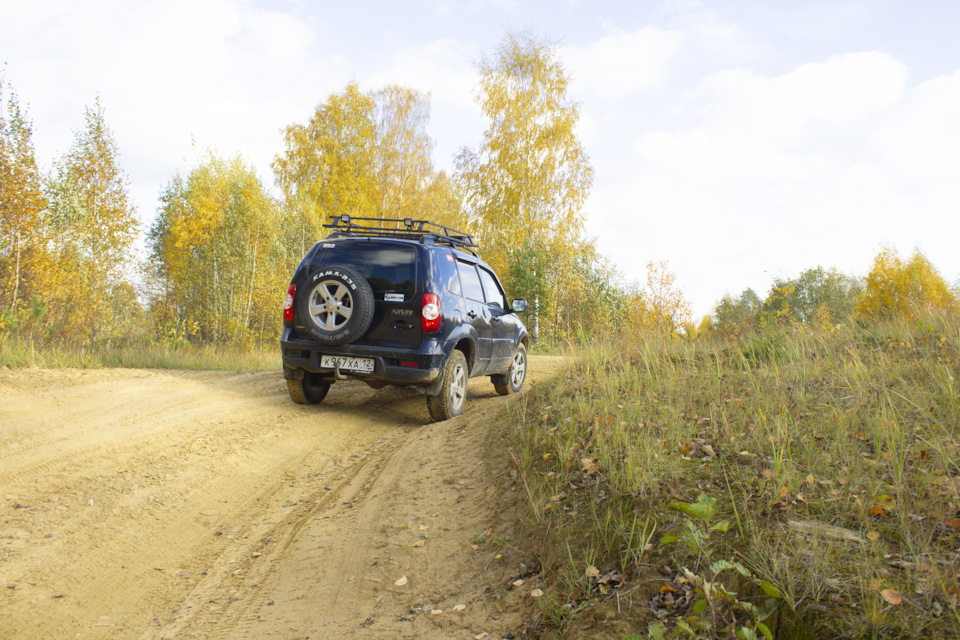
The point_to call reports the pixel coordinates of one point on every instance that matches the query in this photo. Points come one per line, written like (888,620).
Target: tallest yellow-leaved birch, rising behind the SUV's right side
(528,181)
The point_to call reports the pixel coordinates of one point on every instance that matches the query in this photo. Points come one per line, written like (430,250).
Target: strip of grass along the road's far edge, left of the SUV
(24,352)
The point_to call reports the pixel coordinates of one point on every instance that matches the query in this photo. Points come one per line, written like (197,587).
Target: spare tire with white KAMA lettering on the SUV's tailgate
(338,307)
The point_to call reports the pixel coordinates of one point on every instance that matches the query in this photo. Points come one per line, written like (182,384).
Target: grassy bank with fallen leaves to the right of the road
(832,458)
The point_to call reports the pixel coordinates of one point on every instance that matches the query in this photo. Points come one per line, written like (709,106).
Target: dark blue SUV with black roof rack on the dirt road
(404,302)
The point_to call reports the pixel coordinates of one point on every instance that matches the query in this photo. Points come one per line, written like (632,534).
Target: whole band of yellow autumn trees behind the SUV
(222,244)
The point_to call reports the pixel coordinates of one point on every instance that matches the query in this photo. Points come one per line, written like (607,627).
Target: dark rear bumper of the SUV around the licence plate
(304,355)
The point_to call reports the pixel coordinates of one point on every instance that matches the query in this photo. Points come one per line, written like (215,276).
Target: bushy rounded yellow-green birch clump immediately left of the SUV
(216,266)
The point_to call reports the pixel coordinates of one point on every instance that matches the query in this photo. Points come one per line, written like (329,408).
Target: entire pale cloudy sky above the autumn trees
(739,140)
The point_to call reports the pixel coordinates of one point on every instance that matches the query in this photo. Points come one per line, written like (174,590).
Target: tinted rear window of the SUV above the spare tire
(389,268)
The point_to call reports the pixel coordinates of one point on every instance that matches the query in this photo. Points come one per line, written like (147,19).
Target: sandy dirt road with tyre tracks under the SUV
(164,504)
